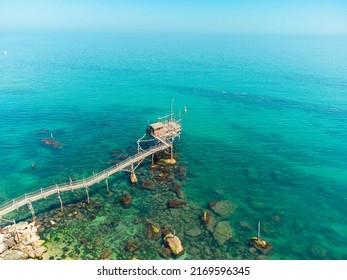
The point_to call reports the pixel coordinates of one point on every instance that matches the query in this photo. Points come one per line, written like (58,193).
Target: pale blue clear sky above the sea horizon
(231,16)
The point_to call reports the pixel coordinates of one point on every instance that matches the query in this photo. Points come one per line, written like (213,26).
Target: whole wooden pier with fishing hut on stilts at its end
(161,136)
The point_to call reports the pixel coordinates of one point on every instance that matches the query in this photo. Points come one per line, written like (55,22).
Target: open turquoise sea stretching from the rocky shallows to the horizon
(266,123)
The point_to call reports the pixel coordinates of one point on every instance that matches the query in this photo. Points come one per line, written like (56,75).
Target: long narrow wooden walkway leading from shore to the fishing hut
(84,183)
